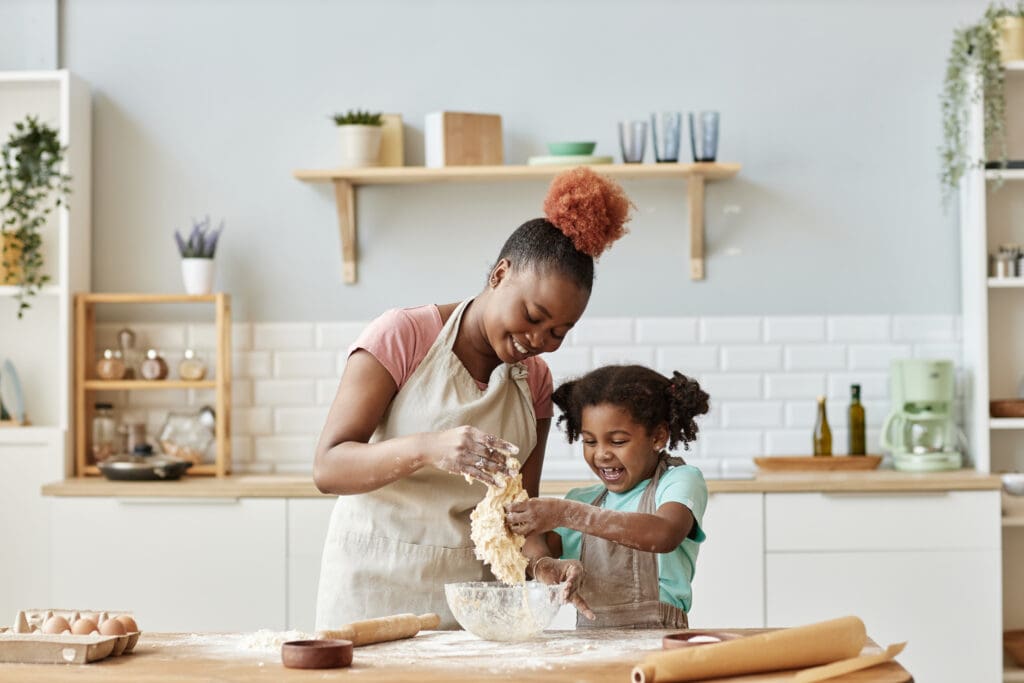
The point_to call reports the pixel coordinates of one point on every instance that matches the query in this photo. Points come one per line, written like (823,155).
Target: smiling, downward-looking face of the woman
(529,313)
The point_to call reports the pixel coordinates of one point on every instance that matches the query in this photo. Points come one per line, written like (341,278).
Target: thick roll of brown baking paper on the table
(787,649)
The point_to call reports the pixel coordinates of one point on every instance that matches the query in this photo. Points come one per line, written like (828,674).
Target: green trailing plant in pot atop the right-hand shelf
(974,73)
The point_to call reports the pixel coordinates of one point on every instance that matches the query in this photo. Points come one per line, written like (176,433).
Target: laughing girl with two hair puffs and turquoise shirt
(637,533)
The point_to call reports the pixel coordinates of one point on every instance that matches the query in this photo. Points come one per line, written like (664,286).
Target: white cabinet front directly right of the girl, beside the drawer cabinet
(729,586)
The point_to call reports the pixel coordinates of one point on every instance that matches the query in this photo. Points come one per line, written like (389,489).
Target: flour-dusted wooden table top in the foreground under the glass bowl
(593,655)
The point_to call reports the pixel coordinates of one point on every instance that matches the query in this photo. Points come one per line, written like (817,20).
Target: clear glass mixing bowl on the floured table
(492,611)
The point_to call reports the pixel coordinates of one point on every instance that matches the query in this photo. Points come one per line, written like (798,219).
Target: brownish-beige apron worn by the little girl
(621,584)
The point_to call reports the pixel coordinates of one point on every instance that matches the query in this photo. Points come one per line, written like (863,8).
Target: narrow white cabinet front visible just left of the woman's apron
(308,523)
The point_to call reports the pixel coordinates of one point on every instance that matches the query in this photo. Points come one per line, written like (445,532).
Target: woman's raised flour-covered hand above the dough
(470,452)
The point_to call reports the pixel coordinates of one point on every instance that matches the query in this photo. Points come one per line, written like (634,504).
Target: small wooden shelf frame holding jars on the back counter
(87,382)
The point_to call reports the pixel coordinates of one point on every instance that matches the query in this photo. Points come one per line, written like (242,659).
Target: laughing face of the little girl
(621,452)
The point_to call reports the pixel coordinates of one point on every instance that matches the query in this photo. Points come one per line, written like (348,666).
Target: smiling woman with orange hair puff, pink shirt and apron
(452,390)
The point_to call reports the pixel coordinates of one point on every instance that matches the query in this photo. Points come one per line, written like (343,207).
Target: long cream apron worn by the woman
(393,550)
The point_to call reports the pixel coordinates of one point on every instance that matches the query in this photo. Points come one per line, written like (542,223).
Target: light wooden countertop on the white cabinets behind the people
(266,486)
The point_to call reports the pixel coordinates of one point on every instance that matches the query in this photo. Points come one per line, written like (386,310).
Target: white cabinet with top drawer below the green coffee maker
(921,568)
